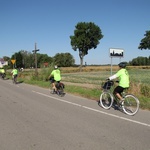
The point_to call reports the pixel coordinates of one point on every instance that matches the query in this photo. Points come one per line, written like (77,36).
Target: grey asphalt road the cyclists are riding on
(33,119)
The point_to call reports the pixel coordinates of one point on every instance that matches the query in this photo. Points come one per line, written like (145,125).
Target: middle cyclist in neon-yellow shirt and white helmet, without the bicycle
(55,77)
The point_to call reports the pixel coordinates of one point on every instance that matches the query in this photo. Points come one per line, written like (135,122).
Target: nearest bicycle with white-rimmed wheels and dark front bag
(129,105)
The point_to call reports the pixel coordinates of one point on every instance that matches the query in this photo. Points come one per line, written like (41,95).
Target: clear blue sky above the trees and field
(49,23)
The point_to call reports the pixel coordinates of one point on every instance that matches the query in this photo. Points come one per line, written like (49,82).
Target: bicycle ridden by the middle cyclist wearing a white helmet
(60,89)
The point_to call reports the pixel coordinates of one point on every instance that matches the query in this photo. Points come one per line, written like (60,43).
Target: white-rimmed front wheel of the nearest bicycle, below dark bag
(106,100)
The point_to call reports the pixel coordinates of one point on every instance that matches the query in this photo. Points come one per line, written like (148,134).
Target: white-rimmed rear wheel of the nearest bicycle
(130,105)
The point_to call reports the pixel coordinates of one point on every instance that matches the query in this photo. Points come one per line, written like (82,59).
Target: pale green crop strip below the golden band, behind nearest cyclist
(96,77)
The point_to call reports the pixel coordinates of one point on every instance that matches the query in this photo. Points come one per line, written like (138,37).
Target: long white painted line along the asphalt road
(95,110)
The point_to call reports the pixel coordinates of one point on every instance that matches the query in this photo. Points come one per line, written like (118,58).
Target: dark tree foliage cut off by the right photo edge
(145,42)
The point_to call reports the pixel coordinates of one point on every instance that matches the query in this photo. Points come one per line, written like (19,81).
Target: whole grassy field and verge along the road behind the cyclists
(88,82)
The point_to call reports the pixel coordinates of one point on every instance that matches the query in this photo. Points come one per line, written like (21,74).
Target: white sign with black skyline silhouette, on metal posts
(115,52)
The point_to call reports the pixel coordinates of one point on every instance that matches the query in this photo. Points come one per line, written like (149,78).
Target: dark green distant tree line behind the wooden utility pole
(25,59)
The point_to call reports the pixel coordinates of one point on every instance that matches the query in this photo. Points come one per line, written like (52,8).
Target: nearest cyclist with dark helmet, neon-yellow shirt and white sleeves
(123,76)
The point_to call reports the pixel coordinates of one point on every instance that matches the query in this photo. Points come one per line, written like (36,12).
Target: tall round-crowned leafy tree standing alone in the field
(86,36)
